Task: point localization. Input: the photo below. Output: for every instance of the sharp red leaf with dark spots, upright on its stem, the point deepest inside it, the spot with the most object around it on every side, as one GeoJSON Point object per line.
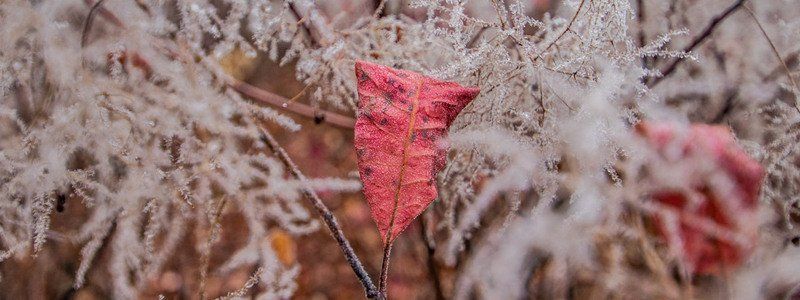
{"type": "Point", "coordinates": [401, 117]}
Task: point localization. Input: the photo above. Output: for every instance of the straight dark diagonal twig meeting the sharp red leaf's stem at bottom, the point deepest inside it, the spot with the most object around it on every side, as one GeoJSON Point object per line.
{"type": "Point", "coordinates": [327, 216]}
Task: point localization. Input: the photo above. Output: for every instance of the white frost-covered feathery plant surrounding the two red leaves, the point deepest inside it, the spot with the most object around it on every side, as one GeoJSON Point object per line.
{"type": "Point", "coordinates": [545, 188]}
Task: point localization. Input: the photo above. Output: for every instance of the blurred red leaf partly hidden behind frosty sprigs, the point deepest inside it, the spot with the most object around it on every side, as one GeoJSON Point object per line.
{"type": "Point", "coordinates": [704, 253]}
